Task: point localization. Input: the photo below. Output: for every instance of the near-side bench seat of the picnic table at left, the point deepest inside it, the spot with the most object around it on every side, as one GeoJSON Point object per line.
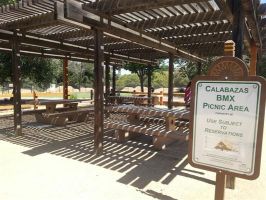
{"type": "Point", "coordinates": [61, 118]}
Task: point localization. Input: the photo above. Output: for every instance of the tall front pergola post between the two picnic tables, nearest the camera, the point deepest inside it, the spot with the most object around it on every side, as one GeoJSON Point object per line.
{"type": "Point", "coordinates": [98, 93]}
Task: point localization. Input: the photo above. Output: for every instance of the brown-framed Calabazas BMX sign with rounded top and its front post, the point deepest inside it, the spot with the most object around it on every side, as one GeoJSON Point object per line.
{"type": "Point", "coordinates": [227, 122]}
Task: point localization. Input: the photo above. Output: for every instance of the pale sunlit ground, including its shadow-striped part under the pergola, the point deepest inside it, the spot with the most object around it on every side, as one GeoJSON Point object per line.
{"type": "Point", "coordinates": [57, 163]}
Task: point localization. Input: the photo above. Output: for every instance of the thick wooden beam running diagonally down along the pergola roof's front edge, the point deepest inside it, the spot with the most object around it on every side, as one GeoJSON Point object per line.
{"type": "Point", "coordinates": [77, 15]}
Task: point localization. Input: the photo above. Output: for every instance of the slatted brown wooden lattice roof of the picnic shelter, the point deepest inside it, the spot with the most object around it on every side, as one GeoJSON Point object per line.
{"type": "Point", "coordinates": [134, 30]}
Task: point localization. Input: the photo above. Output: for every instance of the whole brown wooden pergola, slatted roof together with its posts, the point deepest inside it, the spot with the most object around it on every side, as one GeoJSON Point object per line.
{"type": "Point", "coordinates": [115, 31]}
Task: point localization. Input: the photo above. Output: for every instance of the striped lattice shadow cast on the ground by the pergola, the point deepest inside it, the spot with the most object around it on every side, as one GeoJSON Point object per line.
{"type": "Point", "coordinates": [136, 159]}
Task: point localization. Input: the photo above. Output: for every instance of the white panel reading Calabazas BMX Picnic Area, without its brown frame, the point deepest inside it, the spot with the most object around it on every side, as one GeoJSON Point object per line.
{"type": "Point", "coordinates": [225, 125]}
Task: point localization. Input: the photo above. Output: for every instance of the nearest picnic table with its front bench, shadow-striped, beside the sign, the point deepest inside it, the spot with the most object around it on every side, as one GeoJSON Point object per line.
{"type": "Point", "coordinates": [164, 125]}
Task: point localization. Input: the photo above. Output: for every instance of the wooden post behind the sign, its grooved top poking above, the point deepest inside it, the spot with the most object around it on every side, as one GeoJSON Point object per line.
{"type": "Point", "coordinates": [229, 50]}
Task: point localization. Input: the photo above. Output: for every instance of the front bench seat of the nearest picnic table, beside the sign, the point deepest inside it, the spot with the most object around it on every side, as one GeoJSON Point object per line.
{"type": "Point", "coordinates": [161, 137]}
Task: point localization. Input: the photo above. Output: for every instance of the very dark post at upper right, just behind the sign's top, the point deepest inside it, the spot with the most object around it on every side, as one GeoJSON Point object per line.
{"type": "Point", "coordinates": [238, 26]}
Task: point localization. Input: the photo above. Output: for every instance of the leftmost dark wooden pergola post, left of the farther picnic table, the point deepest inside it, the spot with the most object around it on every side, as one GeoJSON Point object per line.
{"type": "Point", "coordinates": [16, 78]}
